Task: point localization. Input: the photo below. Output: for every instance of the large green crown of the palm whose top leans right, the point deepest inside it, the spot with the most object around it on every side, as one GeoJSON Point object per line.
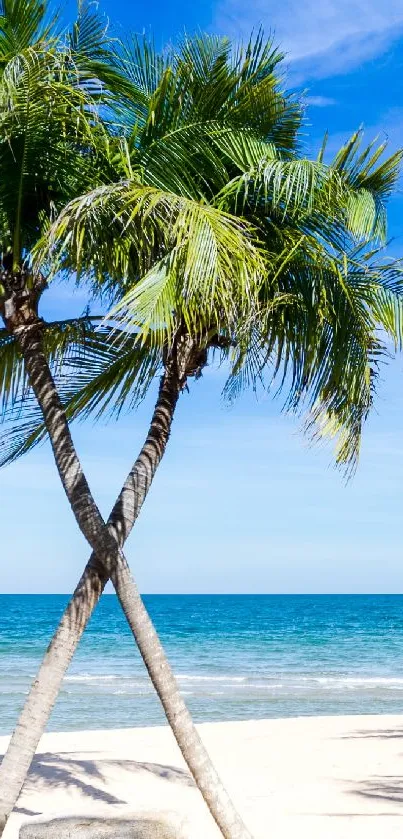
{"type": "Point", "coordinates": [205, 221]}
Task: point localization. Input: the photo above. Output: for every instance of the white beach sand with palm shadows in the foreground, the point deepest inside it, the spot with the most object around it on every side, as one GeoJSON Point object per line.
{"type": "Point", "coordinates": [317, 777]}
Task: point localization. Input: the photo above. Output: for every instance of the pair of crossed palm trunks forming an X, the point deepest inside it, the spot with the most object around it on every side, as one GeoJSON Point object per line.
{"type": "Point", "coordinates": [107, 562]}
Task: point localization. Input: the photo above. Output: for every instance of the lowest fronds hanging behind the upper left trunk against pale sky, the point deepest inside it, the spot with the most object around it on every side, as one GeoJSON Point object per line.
{"type": "Point", "coordinates": [95, 377]}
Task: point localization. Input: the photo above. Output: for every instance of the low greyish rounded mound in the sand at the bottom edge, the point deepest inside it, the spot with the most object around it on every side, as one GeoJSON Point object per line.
{"type": "Point", "coordinates": [93, 828]}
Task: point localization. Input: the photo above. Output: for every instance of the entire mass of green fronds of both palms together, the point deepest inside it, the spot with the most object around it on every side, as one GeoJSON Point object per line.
{"type": "Point", "coordinates": [174, 182]}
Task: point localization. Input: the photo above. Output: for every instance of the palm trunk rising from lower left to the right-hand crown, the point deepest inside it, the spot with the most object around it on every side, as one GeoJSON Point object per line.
{"type": "Point", "coordinates": [46, 687]}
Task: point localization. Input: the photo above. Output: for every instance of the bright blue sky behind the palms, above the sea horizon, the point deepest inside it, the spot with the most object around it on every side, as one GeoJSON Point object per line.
{"type": "Point", "coordinates": [242, 503]}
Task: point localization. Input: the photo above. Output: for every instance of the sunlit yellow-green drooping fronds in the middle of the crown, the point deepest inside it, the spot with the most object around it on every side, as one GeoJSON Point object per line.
{"type": "Point", "coordinates": [209, 262]}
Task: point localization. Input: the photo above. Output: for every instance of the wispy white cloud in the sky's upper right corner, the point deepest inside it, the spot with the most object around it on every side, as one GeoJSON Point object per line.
{"type": "Point", "coordinates": [320, 38]}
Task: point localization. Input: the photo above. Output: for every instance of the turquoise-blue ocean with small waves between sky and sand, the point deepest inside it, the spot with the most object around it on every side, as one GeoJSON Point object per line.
{"type": "Point", "coordinates": [235, 656]}
